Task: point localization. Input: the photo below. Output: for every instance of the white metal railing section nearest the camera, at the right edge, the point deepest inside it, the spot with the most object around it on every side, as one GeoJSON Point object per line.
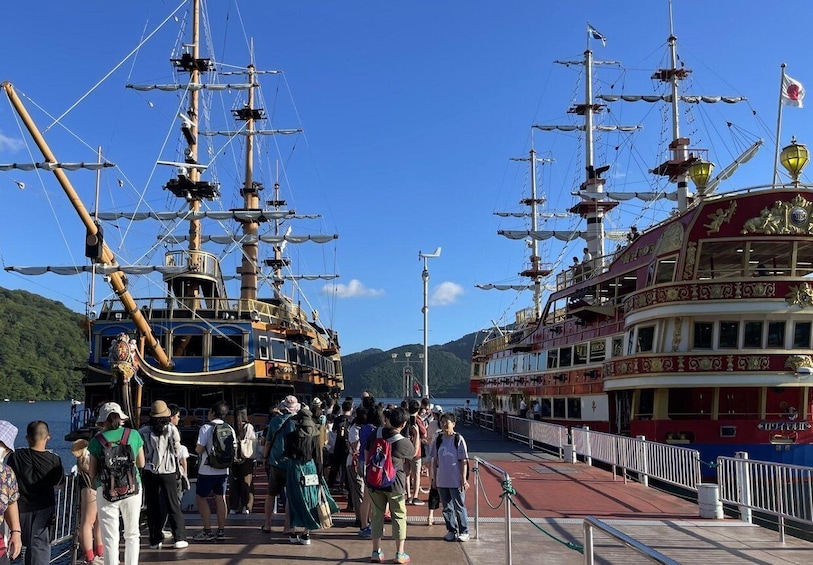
{"type": "Point", "coordinates": [777, 489]}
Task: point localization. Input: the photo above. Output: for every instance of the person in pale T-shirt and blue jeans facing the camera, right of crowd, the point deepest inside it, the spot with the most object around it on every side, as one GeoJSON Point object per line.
{"type": "Point", "coordinates": [450, 463]}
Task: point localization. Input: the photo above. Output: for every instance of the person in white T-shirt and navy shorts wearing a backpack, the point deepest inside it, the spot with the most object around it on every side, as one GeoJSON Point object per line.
{"type": "Point", "coordinates": [212, 480]}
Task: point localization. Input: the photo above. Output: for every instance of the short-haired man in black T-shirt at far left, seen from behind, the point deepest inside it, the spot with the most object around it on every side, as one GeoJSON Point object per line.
{"type": "Point", "coordinates": [38, 472]}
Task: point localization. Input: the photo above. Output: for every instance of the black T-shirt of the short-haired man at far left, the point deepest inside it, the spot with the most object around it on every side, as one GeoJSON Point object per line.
{"type": "Point", "coordinates": [38, 472]}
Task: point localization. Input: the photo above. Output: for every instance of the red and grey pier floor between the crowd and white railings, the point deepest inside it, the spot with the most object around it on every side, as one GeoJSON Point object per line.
{"type": "Point", "coordinates": [555, 495]}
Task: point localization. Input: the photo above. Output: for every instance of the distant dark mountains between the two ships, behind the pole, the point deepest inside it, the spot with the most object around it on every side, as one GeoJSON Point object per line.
{"type": "Point", "coordinates": [375, 371]}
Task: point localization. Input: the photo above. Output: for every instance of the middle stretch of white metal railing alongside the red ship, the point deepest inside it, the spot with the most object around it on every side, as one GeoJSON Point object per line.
{"type": "Point", "coordinates": [672, 464]}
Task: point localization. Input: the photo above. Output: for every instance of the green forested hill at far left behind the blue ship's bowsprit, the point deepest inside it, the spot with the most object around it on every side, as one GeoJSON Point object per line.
{"type": "Point", "coordinates": [41, 344]}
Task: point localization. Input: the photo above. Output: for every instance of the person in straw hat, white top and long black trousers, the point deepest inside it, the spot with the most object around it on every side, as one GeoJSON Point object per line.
{"type": "Point", "coordinates": [162, 443]}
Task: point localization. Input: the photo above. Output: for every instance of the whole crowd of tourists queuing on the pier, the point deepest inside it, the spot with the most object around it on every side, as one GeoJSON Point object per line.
{"type": "Point", "coordinates": [377, 455]}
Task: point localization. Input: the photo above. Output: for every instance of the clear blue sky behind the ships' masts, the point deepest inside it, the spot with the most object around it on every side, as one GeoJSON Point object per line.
{"type": "Point", "coordinates": [411, 112]}
